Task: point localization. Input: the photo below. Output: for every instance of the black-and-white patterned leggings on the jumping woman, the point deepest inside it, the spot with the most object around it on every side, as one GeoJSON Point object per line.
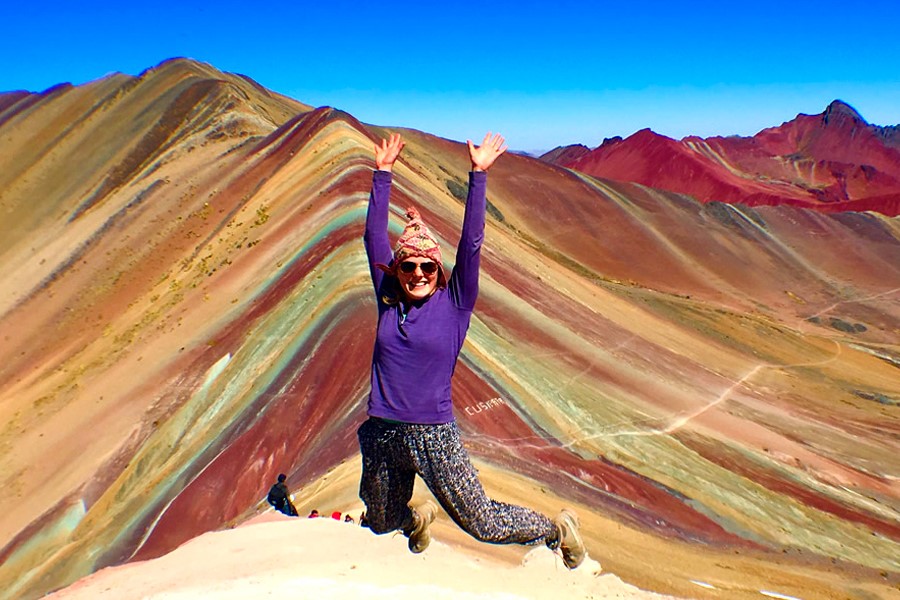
{"type": "Point", "coordinates": [393, 453]}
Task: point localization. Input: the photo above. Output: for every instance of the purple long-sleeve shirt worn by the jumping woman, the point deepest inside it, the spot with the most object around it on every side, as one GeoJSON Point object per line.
{"type": "Point", "coordinates": [415, 356]}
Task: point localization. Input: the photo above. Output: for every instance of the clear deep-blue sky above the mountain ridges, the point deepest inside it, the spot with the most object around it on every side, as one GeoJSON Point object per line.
{"type": "Point", "coordinates": [542, 73]}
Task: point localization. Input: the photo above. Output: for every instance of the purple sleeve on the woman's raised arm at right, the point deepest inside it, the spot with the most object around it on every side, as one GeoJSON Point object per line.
{"type": "Point", "coordinates": [463, 285]}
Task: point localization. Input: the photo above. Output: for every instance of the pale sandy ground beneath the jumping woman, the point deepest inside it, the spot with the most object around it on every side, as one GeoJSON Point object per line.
{"type": "Point", "coordinates": [276, 557]}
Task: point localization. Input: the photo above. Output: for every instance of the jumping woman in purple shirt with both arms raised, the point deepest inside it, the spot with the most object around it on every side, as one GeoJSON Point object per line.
{"type": "Point", "coordinates": [423, 317]}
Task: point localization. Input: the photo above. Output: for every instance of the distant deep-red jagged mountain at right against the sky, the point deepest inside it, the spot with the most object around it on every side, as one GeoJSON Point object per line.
{"type": "Point", "coordinates": [834, 161]}
